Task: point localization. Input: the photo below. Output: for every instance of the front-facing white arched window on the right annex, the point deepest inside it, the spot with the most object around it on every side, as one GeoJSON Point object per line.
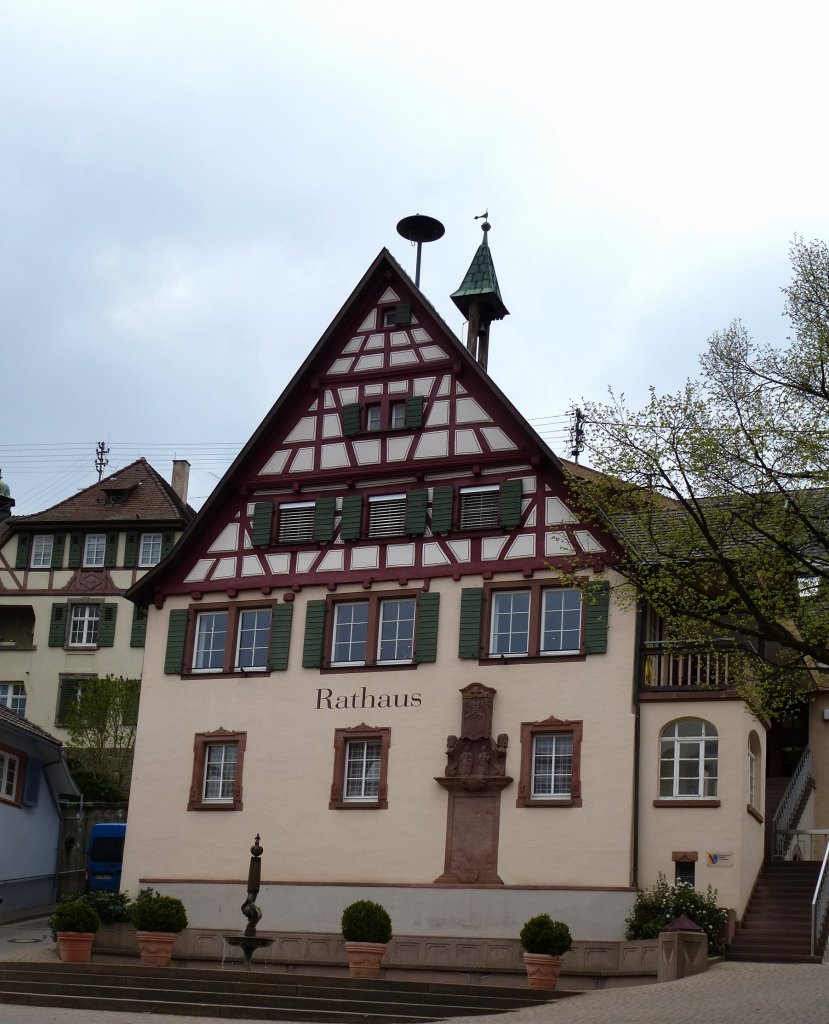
{"type": "Point", "coordinates": [688, 760]}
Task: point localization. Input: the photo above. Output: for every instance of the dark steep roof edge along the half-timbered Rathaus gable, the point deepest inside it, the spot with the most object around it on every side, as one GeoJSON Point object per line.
{"type": "Point", "coordinates": [245, 470]}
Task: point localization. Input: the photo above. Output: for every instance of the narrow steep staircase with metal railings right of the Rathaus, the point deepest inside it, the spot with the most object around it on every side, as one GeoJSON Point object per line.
{"type": "Point", "coordinates": [777, 923]}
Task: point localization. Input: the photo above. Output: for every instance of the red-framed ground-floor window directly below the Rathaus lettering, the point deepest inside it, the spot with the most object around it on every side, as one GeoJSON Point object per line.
{"type": "Point", "coordinates": [361, 769]}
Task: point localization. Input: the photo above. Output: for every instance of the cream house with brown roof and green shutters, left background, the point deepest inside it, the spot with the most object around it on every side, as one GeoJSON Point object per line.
{"type": "Point", "coordinates": [64, 574]}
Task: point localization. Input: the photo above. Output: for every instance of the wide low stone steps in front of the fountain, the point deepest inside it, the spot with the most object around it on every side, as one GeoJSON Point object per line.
{"type": "Point", "coordinates": [256, 996]}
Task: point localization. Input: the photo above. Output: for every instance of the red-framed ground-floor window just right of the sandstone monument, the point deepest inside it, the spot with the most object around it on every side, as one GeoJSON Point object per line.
{"type": "Point", "coordinates": [551, 756]}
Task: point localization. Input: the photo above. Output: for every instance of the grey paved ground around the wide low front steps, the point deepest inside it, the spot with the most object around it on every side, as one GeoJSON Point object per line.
{"type": "Point", "coordinates": [728, 994]}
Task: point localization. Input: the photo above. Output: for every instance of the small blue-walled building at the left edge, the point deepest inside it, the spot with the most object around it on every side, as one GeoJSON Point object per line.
{"type": "Point", "coordinates": [33, 777]}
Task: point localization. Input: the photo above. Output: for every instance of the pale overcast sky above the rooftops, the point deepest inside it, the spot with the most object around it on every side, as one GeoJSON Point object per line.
{"type": "Point", "coordinates": [190, 191]}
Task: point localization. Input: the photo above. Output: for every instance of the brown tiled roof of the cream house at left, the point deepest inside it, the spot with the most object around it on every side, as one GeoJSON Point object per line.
{"type": "Point", "coordinates": [136, 493]}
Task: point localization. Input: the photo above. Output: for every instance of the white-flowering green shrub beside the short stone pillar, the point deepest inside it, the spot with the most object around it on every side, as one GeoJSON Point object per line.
{"type": "Point", "coordinates": [657, 908]}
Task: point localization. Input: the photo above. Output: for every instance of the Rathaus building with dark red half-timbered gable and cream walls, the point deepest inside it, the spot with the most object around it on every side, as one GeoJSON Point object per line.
{"type": "Point", "coordinates": [396, 559]}
